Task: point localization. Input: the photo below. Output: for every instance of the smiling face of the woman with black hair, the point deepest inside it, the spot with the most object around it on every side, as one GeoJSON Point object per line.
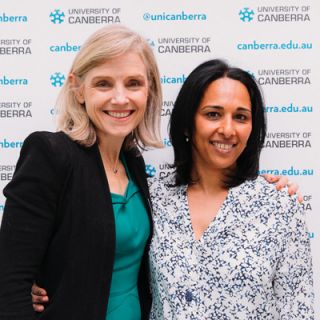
{"type": "Point", "coordinates": [222, 125]}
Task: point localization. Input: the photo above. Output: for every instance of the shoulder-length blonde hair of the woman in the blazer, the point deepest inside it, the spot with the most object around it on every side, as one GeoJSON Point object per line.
{"type": "Point", "coordinates": [107, 43]}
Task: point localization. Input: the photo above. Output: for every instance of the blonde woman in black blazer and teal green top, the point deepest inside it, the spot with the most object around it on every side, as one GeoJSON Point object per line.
{"type": "Point", "coordinates": [77, 216]}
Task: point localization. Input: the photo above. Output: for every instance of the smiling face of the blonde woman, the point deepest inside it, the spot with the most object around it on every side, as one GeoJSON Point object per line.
{"type": "Point", "coordinates": [115, 95]}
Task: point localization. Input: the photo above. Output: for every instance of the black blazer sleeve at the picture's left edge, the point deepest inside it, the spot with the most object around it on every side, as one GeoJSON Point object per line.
{"type": "Point", "coordinates": [27, 224]}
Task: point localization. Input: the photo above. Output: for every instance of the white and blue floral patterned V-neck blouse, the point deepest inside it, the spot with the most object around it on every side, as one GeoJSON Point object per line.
{"type": "Point", "coordinates": [252, 262]}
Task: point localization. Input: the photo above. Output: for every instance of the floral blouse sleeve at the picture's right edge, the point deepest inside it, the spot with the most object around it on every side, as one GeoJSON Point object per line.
{"type": "Point", "coordinates": [293, 282]}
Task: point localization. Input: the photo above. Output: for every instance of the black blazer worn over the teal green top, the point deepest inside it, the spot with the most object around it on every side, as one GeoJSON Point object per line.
{"type": "Point", "coordinates": [58, 229]}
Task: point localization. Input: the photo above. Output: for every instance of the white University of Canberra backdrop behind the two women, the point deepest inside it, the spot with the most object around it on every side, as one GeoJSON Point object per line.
{"type": "Point", "coordinates": [276, 41]}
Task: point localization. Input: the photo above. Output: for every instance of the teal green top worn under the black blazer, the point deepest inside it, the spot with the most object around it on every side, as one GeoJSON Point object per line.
{"type": "Point", "coordinates": [132, 231]}
